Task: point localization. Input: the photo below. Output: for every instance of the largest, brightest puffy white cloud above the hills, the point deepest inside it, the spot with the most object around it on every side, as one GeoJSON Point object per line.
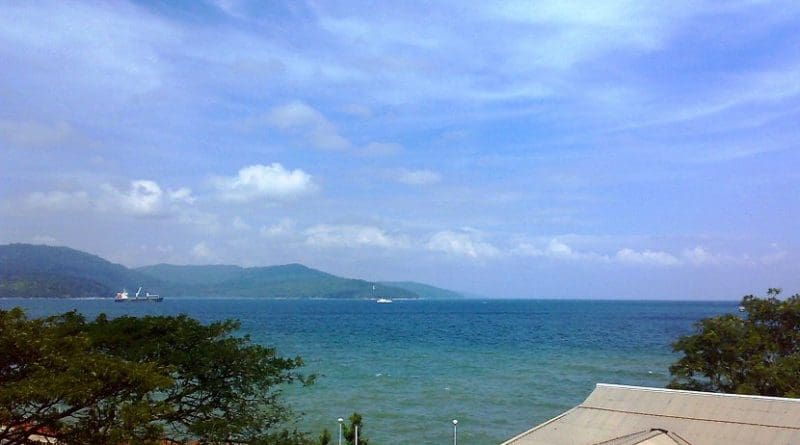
{"type": "Point", "coordinates": [264, 182]}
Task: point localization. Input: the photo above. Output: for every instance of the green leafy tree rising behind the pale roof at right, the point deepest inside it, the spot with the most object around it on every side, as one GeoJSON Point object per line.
{"type": "Point", "coordinates": [756, 353]}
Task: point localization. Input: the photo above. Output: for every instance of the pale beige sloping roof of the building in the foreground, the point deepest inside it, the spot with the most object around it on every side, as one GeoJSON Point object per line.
{"type": "Point", "coordinates": [632, 415]}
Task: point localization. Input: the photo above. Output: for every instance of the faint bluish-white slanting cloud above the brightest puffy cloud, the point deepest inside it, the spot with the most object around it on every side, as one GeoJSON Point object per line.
{"type": "Point", "coordinates": [298, 117]}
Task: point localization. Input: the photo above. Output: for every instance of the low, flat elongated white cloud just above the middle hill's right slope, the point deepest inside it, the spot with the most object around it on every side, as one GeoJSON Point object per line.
{"type": "Point", "coordinates": [353, 236]}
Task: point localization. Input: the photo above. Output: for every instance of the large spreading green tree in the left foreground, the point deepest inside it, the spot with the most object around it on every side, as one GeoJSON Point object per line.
{"type": "Point", "coordinates": [140, 380]}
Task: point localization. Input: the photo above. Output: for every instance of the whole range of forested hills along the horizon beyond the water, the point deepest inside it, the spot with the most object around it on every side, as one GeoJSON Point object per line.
{"type": "Point", "coordinates": [45, 271]}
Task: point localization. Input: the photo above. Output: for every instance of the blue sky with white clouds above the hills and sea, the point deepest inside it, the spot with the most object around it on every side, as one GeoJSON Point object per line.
{"type": "Point", "coordinates": [522, 149]}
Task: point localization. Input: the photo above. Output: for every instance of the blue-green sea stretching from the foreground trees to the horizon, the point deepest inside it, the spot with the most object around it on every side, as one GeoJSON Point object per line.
{"type": "Point", "coordinates": [499, 367]}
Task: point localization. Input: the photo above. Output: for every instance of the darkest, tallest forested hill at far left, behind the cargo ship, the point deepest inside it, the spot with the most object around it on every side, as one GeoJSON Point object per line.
{"type": "Point", "coordinates": [44, 271]}
